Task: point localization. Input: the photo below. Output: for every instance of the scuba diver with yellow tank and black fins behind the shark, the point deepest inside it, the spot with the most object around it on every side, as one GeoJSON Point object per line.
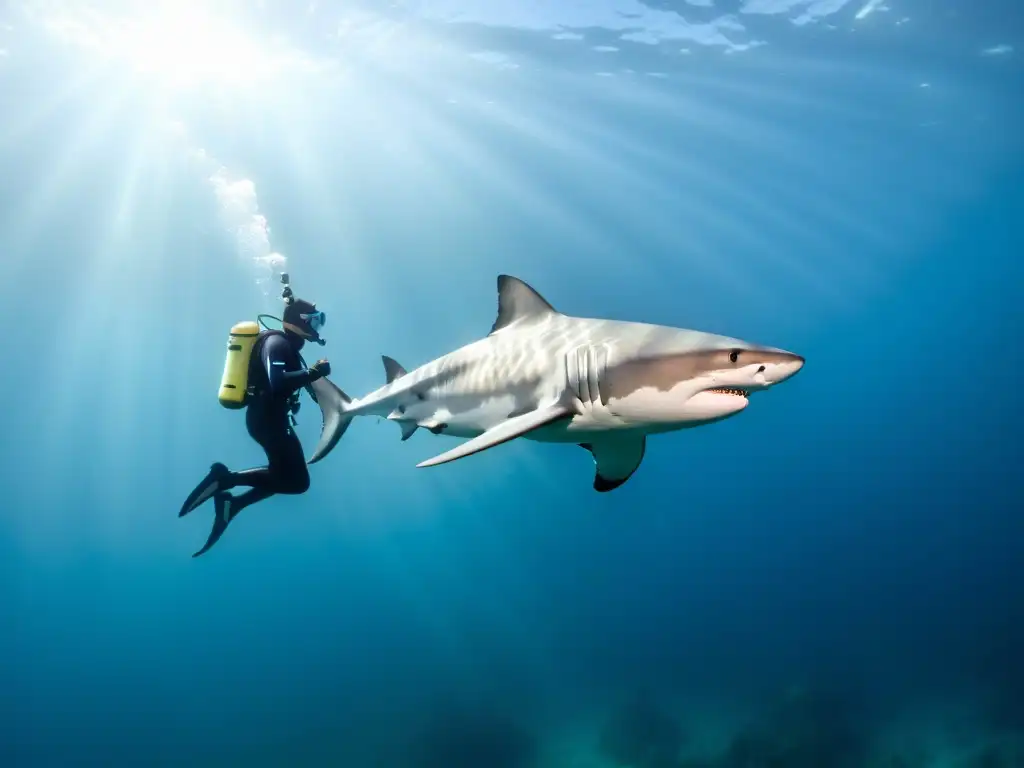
{"type": "Point", "coordinates": [265, 374]}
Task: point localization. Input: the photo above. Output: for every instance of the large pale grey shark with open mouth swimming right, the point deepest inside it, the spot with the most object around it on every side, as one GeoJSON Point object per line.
{"type": "Point", "coordinates": [606, 386]}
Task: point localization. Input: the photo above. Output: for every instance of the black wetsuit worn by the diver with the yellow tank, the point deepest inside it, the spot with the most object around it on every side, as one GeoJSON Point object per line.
{"type": "Point", "coordinates": [278, 374]}
